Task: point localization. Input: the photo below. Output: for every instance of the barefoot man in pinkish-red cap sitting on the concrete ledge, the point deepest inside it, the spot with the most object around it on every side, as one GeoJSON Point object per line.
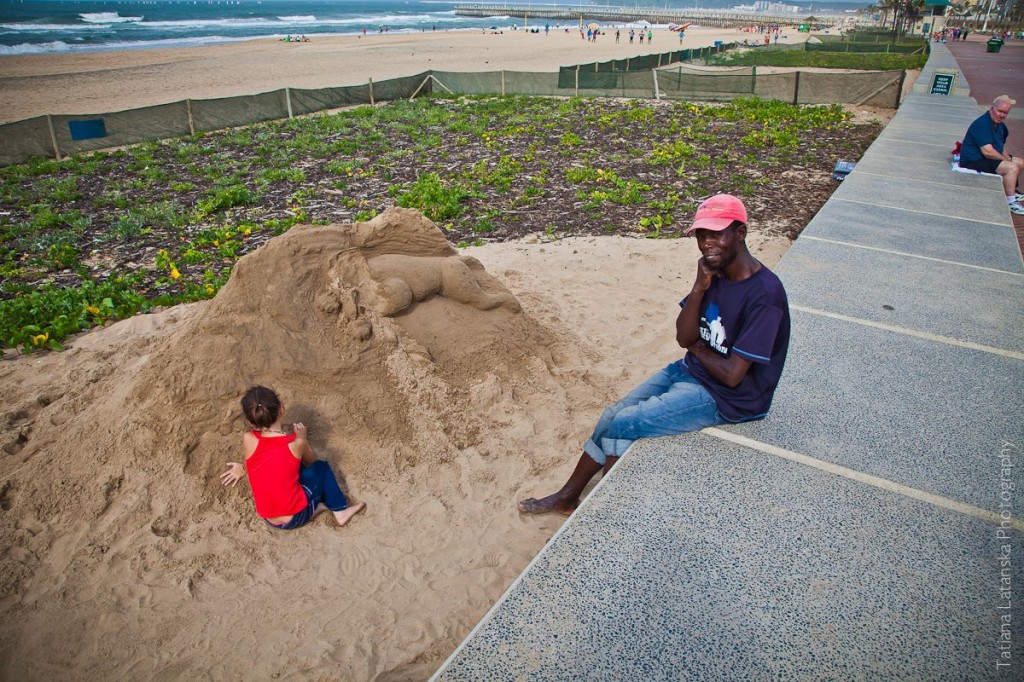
{"type": "Point", "coordinates": [735, 325]}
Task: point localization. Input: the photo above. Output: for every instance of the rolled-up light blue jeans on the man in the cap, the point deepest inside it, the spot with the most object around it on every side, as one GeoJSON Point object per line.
{"type": "Point", "coordinates": [670, 403]}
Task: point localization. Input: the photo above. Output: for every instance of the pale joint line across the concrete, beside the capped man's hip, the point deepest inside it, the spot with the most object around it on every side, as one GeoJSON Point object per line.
{"type": "Point", "coordinates": [869, 480]}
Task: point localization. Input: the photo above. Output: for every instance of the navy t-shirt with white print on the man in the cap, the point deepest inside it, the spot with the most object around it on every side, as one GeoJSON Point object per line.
{"type": "Point", "coordinates": [750, 318]}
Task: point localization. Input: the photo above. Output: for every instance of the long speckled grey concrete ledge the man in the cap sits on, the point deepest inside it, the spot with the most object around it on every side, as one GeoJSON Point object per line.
{"type": "Point", "coordinates": [871, 528]}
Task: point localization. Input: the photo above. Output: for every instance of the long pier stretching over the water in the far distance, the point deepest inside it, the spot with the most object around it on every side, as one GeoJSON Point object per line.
{"type": "Point", "coordinates": [614, 15]}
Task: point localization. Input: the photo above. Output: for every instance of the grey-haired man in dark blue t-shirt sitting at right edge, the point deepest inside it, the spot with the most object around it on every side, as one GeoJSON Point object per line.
{"type": "Point", "coordinates": [985, 146]}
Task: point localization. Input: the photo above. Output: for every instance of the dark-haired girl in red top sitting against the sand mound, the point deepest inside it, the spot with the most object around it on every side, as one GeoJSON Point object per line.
{"type": "Point", "coordinates": [290, 487]}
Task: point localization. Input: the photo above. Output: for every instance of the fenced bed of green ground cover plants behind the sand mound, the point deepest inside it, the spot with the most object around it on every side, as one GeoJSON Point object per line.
{"type": "Point", "coordinates": [102, 237]}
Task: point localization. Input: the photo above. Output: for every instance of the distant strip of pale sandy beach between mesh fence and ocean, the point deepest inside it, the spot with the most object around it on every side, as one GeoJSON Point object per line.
{"type": "Point", "coordinates": [113, 81]}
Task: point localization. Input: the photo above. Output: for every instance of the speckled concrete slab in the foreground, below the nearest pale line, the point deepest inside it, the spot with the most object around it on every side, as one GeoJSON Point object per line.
{"type": "Point", "coordinates": [703, 561]}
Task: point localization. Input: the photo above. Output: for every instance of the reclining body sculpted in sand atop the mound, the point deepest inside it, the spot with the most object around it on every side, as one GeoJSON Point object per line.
{"type": "Point", "coordinates": [405, 280]}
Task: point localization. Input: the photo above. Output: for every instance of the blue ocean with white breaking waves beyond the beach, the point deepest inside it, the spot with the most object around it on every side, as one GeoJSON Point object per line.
{"type": "Point", "coordinates": [65, 26]}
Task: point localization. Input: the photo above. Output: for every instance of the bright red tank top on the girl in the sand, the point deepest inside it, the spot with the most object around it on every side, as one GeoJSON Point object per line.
{"type": "Point", "coordinates": [274, 477]}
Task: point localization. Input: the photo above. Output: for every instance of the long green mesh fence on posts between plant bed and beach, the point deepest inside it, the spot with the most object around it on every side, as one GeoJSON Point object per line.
{"type": "Point", "coordinates": [635, 77]}
